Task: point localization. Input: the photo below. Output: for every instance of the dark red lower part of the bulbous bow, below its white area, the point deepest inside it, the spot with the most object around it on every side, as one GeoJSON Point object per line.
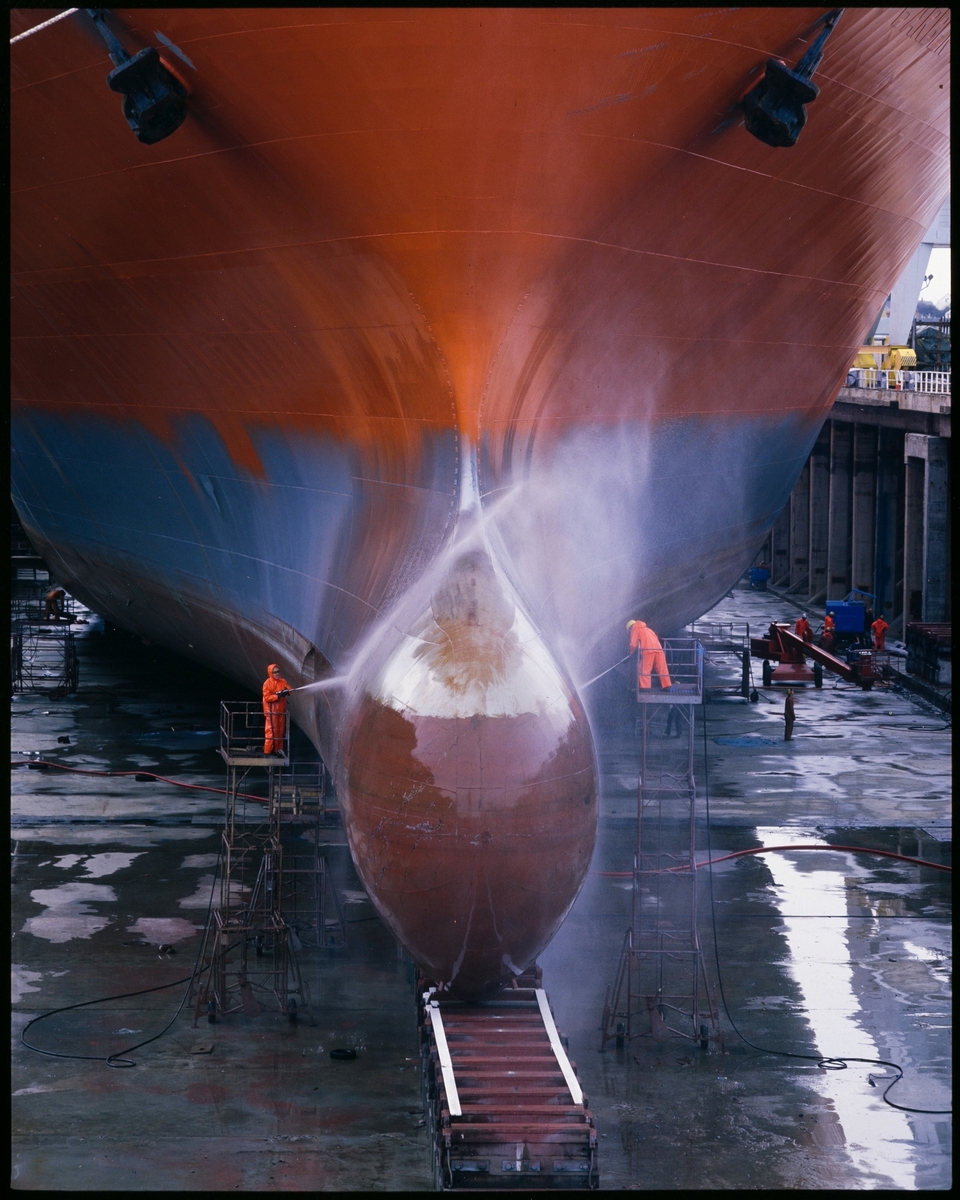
{"type": "Point", "coordinates": [497, 844]}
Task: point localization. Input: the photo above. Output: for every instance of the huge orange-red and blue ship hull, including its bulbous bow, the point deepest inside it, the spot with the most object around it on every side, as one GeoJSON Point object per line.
{"type": "Point", "coordinates": [397, 256]}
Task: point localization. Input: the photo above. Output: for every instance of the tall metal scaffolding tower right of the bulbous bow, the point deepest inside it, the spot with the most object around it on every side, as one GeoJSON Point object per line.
{"type": "Point", "coordinates": [661, 988]}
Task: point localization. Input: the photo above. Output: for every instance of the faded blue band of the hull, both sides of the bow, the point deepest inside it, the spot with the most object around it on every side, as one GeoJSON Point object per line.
{"type": "Point", "coordinates": [179, 545]}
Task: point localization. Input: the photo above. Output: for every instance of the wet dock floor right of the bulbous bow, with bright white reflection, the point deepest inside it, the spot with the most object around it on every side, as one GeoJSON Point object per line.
{"type": "Point", "coordinates": [805, 945]}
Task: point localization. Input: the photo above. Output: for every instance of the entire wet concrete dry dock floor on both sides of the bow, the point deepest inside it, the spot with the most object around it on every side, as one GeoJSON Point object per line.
{"type": "Point", "coordinates": [820, 953]}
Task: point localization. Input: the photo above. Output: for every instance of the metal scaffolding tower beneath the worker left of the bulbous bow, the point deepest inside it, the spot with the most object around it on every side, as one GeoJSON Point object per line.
{"type": "Point", "coordinates": [272, 896]}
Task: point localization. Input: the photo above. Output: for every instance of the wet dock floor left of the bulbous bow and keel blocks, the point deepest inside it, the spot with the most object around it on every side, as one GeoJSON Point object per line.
{"type": "Point", "coordinates": [106, 871]}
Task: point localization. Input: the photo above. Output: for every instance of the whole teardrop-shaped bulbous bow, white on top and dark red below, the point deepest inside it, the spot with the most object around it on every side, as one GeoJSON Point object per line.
{"type": "Point", "coordinates": [469, 784]}
